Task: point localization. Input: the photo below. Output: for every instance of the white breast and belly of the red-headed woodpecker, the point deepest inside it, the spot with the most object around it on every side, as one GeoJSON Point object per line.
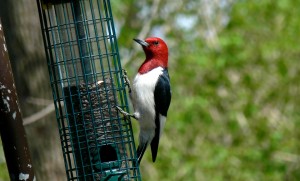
{"type": "Point", "coordinates": [143, 97]}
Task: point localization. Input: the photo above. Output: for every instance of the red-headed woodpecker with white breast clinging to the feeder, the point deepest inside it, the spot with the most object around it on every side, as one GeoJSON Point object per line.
{"type": "Point", "coordinates": [151, 94]}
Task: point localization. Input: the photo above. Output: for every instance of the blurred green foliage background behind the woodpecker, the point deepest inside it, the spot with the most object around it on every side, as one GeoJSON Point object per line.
{"type": "Point", "coordinates": [235, 108]}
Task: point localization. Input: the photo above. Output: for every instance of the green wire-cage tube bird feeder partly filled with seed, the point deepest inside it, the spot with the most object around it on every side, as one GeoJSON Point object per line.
{"type": "Point", "coordinates": [87, 84]}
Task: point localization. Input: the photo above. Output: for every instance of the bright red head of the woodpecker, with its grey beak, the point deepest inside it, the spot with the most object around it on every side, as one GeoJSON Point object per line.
{"type": "Point", "coordinates": [156, 51]}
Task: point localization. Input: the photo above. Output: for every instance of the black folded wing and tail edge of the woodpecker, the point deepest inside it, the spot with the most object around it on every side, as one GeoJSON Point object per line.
{"type": "Point", "coordinates": [162, 99]}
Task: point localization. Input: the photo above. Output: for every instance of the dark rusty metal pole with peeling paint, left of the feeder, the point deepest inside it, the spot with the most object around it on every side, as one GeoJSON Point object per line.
{"type": "Point", "coordinates": [11, 125]}
